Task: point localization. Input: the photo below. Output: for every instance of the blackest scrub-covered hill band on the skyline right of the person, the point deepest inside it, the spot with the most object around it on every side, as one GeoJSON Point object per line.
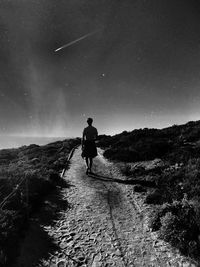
{"type": "Point", "coordinates": [177, 143]}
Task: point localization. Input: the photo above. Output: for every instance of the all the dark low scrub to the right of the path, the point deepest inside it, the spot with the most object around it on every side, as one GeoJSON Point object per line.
{"type": "Point", "coordinates": [176, 196]}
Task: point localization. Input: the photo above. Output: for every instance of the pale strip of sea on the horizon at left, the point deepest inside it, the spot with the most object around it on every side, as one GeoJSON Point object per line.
{"type": "Point", "coordinates": [18, 141]}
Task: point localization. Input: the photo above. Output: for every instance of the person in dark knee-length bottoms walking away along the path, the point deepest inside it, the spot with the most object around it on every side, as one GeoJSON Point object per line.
{"type": "Point", "coordinates": [89, 150]}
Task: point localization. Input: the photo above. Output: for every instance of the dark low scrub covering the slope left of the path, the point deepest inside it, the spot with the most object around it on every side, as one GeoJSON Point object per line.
{"type": "Point", "coordinates": [31, 172]}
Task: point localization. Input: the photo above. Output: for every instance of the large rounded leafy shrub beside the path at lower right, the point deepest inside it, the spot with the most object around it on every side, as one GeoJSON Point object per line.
{"type": "Point", "coordinates": [179, 224]}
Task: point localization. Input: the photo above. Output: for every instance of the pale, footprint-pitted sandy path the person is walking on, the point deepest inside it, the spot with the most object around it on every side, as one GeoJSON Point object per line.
{"type": "Point", "coordinates": [106, 224]}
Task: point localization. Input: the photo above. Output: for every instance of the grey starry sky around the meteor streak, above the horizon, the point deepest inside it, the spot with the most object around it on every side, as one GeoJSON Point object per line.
{"type": "Point", "coordinates": [141, 69]}
